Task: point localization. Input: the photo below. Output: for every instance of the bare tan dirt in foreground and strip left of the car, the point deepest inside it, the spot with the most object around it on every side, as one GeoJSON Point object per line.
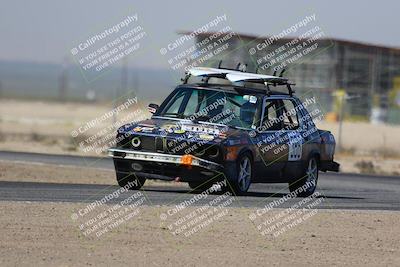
{"type": "Point", "coordinates": [45, 234]}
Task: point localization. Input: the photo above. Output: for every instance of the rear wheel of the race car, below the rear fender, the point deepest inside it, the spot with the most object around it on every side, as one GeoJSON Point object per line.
{"type": "Point", "coordinates": [305, 185]}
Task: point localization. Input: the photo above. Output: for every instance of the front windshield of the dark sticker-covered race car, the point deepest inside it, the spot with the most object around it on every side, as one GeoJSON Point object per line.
{"type": "Point", "coordinates": [232, 109]}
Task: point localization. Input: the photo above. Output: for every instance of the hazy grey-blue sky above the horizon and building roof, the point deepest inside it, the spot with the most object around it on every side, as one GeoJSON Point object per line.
{"type": "Point", "coordinates": [46, 30]}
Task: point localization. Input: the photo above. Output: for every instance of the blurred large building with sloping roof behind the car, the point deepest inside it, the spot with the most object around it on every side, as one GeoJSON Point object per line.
{"type": "Point", "coordinates": [363, 70]}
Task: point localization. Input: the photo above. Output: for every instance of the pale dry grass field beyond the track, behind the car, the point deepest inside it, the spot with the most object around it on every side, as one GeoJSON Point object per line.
{"type": "Point", "coordinates": [46, 127]}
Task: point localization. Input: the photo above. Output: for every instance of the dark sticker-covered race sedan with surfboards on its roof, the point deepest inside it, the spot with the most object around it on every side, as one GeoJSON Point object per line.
{"type": "Point", "coordinates": [205, 133]}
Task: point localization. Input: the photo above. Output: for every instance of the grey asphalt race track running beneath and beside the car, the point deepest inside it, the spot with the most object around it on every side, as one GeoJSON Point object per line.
{"type": "Point", "coordinates": [339, 191]}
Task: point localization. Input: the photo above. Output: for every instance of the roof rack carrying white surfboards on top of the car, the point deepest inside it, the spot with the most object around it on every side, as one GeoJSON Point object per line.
{"type": "Point", "coordinates": [239, 74]}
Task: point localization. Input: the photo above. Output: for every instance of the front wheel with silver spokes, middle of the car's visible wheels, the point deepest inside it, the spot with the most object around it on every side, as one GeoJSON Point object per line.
{"type": "Point", "coordinates": [239, 181]}
